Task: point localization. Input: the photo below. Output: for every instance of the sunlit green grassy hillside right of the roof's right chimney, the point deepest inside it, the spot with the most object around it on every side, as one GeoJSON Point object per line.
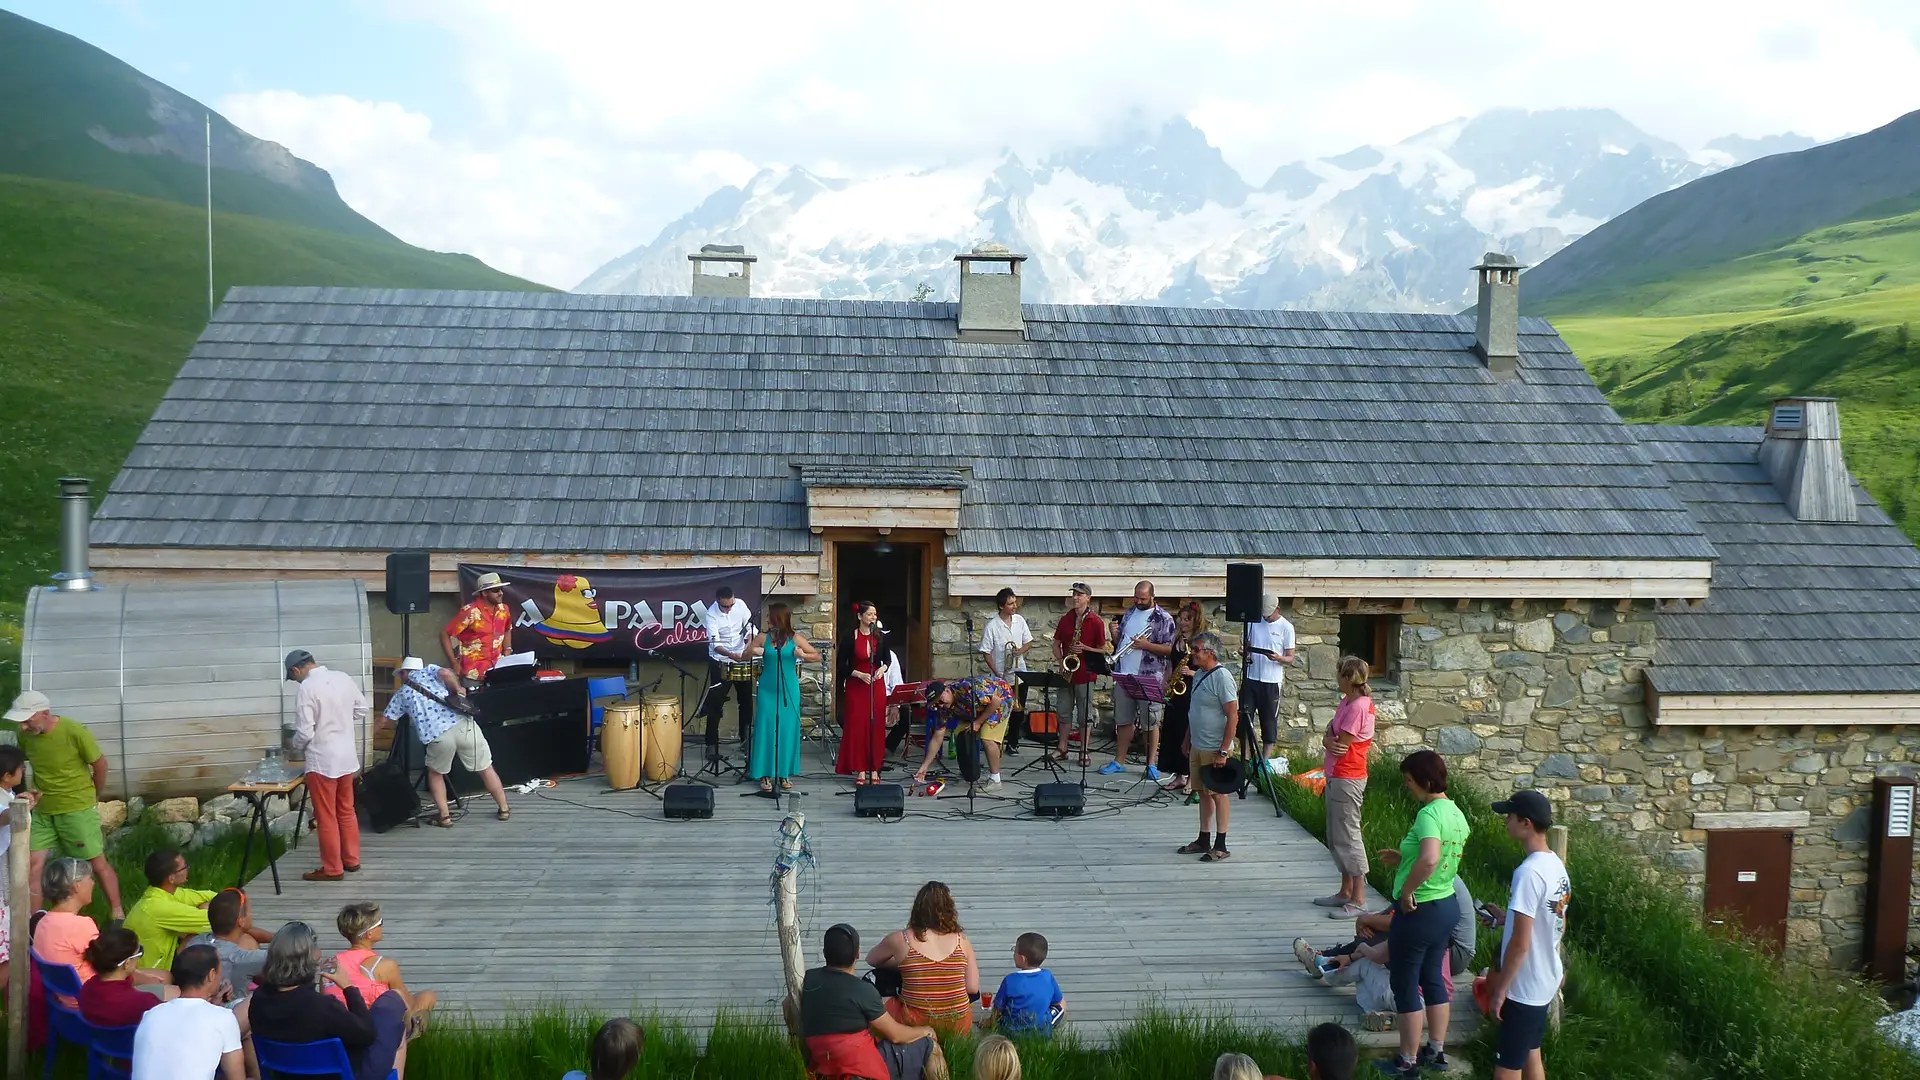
{"type": "Point", "coordinates": [1831, 312]}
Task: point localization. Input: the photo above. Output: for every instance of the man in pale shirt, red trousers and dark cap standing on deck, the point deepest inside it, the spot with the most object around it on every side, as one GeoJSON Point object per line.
{"type": "Point", "coordinates": [327, 716]}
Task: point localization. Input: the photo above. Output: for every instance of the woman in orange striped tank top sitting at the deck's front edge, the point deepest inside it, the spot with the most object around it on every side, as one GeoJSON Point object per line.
{"type": "Point", "coordinates": [940, 979]}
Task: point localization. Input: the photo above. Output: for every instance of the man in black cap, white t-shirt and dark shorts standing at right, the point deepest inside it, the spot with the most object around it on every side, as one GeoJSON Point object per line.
{"type": "Point", "coordinates": [1529, 975]}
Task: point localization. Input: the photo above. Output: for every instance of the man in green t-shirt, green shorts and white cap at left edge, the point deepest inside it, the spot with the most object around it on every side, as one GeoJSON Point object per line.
{"type": "Point", "coordinates": [68, 772]}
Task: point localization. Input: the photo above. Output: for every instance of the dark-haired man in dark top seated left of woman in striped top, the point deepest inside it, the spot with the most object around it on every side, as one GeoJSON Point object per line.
{"type": "Point", "coordinates": [848, 1031]}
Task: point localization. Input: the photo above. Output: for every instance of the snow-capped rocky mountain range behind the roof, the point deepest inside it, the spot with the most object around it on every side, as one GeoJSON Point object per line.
{"type": "Point", "coordinates": [1161, 216]}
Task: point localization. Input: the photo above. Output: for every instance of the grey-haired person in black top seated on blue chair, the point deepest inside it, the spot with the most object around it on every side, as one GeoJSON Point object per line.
{"type": "Point", "coordinates": [287, 1006]}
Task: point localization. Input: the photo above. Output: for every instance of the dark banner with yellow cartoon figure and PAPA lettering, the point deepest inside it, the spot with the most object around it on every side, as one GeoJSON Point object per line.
{"type": "Point", "coordinates": [606, 614]}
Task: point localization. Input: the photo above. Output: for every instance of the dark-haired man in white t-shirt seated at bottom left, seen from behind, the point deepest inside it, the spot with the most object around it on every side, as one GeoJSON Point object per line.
{"type": "Point", "coordinates": [193, 1037]}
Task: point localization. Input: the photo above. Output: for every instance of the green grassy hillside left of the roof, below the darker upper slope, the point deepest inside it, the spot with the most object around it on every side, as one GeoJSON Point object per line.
{"type": "Point", "coordinates": [101, 299]}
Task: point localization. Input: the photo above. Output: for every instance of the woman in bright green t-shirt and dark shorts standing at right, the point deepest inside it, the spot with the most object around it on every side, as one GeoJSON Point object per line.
{"type": "Point", "coordinates": [1426, 914]}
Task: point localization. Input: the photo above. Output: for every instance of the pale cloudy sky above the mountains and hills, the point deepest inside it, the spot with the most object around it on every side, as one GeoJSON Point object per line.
{"type": "Point", "coordinates": [552, 137]}
